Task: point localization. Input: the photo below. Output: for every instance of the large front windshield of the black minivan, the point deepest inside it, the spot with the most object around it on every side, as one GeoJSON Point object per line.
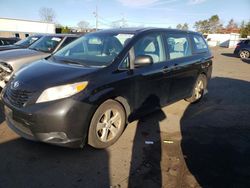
{"type": "Point", "coordinates": [95, 49]}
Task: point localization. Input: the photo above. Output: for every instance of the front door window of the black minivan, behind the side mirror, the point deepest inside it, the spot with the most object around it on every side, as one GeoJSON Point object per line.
{"type": "Point", "coordinates": [151, 45]}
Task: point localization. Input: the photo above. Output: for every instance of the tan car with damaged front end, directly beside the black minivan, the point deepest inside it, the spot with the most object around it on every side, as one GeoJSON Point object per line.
{"type": "Point", "coordinates": [13, 60]}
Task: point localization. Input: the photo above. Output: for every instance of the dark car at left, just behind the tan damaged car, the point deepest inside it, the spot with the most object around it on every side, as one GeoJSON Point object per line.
{"type": "Point", "coordinates": [25, 43]}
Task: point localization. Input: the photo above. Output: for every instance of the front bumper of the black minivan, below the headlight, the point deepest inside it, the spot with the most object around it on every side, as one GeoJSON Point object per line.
{"type": "Point", "coordinates": [64, 122]}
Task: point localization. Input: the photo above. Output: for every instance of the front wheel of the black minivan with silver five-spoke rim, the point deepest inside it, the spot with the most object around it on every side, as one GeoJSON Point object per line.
{"type": "Point", "coordinates": [107, 124]}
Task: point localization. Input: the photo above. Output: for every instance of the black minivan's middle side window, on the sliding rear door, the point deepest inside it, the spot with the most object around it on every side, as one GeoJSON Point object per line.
{"type": "Point", "coordinates": [178, 46]}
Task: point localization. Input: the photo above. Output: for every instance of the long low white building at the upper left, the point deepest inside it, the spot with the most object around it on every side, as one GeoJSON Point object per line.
{"type": "Point", "coordinates": [23, 28]}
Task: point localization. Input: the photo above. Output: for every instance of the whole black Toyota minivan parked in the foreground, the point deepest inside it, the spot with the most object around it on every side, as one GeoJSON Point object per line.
{"type": "Point", "coordinates": [89, 90]}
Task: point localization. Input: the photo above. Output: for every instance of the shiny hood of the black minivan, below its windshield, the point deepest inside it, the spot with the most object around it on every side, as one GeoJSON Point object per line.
{"type": "Point", "coordinates": [45, 73]}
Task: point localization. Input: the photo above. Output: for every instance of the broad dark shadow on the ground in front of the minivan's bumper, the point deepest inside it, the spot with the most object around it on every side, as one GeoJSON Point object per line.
{"type": "Point", "coordinates": [32, 164]}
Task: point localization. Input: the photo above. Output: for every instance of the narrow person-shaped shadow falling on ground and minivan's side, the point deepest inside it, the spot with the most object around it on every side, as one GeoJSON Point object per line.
{"type": "Point", "coordinates": [146, 172]}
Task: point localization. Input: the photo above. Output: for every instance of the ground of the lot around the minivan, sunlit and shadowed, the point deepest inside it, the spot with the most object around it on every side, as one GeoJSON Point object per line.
{"type": "Point", "coordinates": [201, 145]}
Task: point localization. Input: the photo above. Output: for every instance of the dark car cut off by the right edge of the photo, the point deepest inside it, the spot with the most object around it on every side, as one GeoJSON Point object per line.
{"type": "Point", "coordinates": [242, 49]}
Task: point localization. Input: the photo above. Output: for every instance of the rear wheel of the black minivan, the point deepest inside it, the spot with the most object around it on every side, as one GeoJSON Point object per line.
{"type": "Point", "coordinates": [199, 89]}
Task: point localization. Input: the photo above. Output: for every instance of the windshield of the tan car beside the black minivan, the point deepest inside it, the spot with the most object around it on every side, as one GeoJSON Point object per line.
{"type": "Point", "coordinates": [46, 44]}
